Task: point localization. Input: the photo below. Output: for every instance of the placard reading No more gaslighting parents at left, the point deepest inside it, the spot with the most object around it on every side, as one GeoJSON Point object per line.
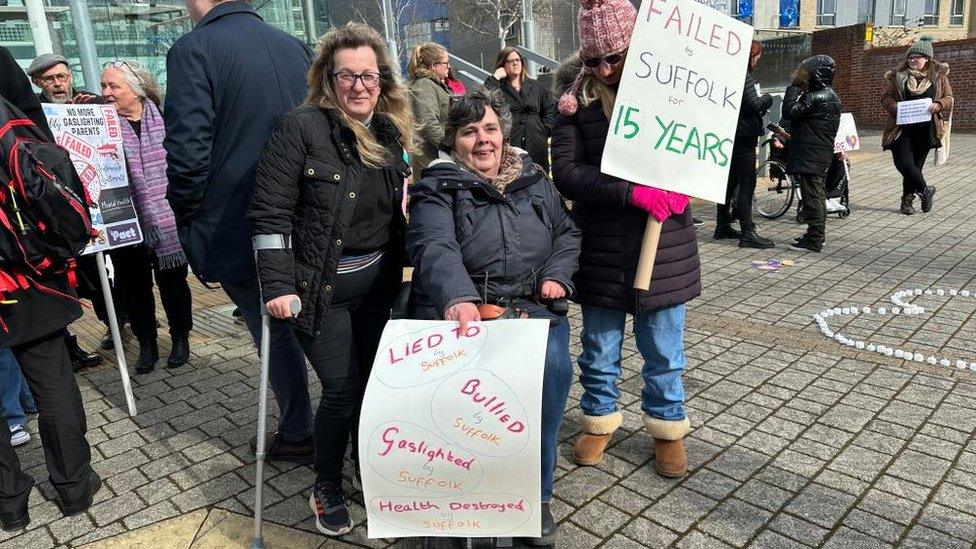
{"type": "Point", "coordinates": [92, 134]}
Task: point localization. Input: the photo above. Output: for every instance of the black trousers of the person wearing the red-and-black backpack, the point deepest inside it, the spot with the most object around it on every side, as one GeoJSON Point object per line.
{"type": "Point", "coordinates": [61, 423]}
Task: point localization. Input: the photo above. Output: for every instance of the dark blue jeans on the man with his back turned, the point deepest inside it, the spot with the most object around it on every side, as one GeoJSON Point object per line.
{"type": "Point", "coordinates": [287, 373]}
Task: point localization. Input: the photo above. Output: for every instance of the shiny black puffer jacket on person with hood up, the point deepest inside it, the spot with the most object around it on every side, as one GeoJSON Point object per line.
{"type": "Point", "coordinates": [814, 118]}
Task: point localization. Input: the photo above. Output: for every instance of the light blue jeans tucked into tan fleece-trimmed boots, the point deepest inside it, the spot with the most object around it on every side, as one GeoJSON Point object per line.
{"type": "Point", "coordinates": [659, 339]}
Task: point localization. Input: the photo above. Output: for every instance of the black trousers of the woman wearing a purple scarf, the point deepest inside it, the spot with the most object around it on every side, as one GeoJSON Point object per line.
{"type": "Point", "coordinates": [135, 267]}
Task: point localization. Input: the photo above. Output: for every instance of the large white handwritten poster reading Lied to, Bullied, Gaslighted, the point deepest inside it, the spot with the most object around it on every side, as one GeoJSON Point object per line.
{"type": "Point", "coordinates": [449, 435]}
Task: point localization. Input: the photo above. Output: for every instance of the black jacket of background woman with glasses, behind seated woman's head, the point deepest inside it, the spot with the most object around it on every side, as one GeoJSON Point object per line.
{"type": "Point", "coordinates": [533, 111]}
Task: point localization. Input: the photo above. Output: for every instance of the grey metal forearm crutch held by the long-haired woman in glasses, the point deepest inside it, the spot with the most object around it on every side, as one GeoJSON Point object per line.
{"type": "Point", "coordinates": [264, 242]}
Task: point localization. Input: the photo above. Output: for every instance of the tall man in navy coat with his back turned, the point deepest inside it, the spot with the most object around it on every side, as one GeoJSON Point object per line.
{"type": "Point", "coordinates": [220, 107]}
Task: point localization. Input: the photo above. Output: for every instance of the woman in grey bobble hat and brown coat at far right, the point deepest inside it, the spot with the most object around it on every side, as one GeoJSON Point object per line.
{"type": "Point", "coordinates": [920, 76]}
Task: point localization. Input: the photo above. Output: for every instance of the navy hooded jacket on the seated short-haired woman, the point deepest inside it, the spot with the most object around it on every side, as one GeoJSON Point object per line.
{"type": "Point", "coordinates": [462, 229]}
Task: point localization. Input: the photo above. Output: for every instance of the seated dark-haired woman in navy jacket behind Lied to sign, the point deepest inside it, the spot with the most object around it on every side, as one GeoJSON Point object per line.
{"type": "Point", "coordinates": [487, 226]}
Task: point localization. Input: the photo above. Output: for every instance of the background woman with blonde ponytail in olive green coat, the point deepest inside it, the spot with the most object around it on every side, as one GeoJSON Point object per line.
{"type": "Point", "coordinates": [428, 67]}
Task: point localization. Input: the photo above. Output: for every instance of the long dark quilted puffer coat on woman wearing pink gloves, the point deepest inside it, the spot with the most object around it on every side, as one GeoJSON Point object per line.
{"type": "Point", "coordinates": [612, 229]}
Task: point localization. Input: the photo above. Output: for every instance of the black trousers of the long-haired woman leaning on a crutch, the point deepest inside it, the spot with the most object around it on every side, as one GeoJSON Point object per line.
{"type": "Point", "coordinates": [342, 357]}
